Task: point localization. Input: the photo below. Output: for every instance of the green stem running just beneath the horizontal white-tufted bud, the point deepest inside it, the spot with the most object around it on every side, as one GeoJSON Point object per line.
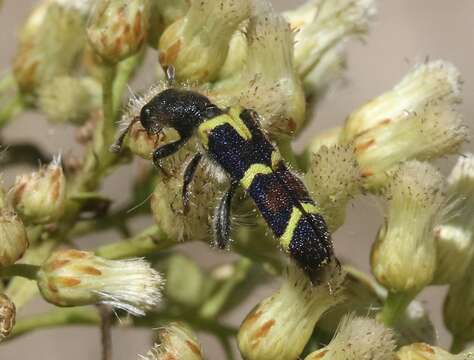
{"type": "Point", "coordinates": [56, 317]}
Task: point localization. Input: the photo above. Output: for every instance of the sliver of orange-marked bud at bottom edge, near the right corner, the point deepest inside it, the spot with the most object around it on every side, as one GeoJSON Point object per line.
{"type": "Point", "coordinates": [423, 351]}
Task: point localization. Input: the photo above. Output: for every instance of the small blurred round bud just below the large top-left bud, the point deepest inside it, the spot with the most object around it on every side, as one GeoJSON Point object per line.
{"type": "Point", "coordinates": [69, 99]}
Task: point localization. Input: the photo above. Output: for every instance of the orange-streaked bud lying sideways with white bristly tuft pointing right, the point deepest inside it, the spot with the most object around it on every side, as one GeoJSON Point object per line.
{"type": "Point", "coordinates": [74, 278]}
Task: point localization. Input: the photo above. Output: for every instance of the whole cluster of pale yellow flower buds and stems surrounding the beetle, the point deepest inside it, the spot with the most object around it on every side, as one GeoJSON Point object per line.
{"type": "Point", "coordinates": [74, 61]}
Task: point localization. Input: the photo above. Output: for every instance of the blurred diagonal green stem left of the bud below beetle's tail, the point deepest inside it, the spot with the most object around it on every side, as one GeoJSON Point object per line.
{"type": "Point", "coordinates": [215, 304]}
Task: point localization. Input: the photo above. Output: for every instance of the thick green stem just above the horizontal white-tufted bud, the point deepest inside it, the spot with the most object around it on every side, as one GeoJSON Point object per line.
{"type": "Point", "coordinates": [150, 240]}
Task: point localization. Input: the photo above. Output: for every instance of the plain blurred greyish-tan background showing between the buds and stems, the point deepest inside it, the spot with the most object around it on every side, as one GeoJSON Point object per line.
{"type": "Point", "coordinates": [405, 32]}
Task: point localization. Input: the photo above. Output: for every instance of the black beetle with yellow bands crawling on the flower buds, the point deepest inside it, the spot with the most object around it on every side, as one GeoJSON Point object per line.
{"type": "Point", "coordinates": [233, 140]}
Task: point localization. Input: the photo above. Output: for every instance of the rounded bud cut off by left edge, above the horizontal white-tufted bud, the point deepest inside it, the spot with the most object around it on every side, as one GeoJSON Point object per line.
{"type": "Point", "coordinates": [13, 238]}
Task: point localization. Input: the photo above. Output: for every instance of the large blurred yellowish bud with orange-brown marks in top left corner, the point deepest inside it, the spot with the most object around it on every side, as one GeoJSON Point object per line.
{"type": "Point", "coordinates": [50, 44]}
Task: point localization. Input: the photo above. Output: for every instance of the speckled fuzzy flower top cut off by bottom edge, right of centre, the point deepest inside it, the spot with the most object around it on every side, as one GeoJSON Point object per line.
{"type": "Point", "coordinates": [358, 338]}
